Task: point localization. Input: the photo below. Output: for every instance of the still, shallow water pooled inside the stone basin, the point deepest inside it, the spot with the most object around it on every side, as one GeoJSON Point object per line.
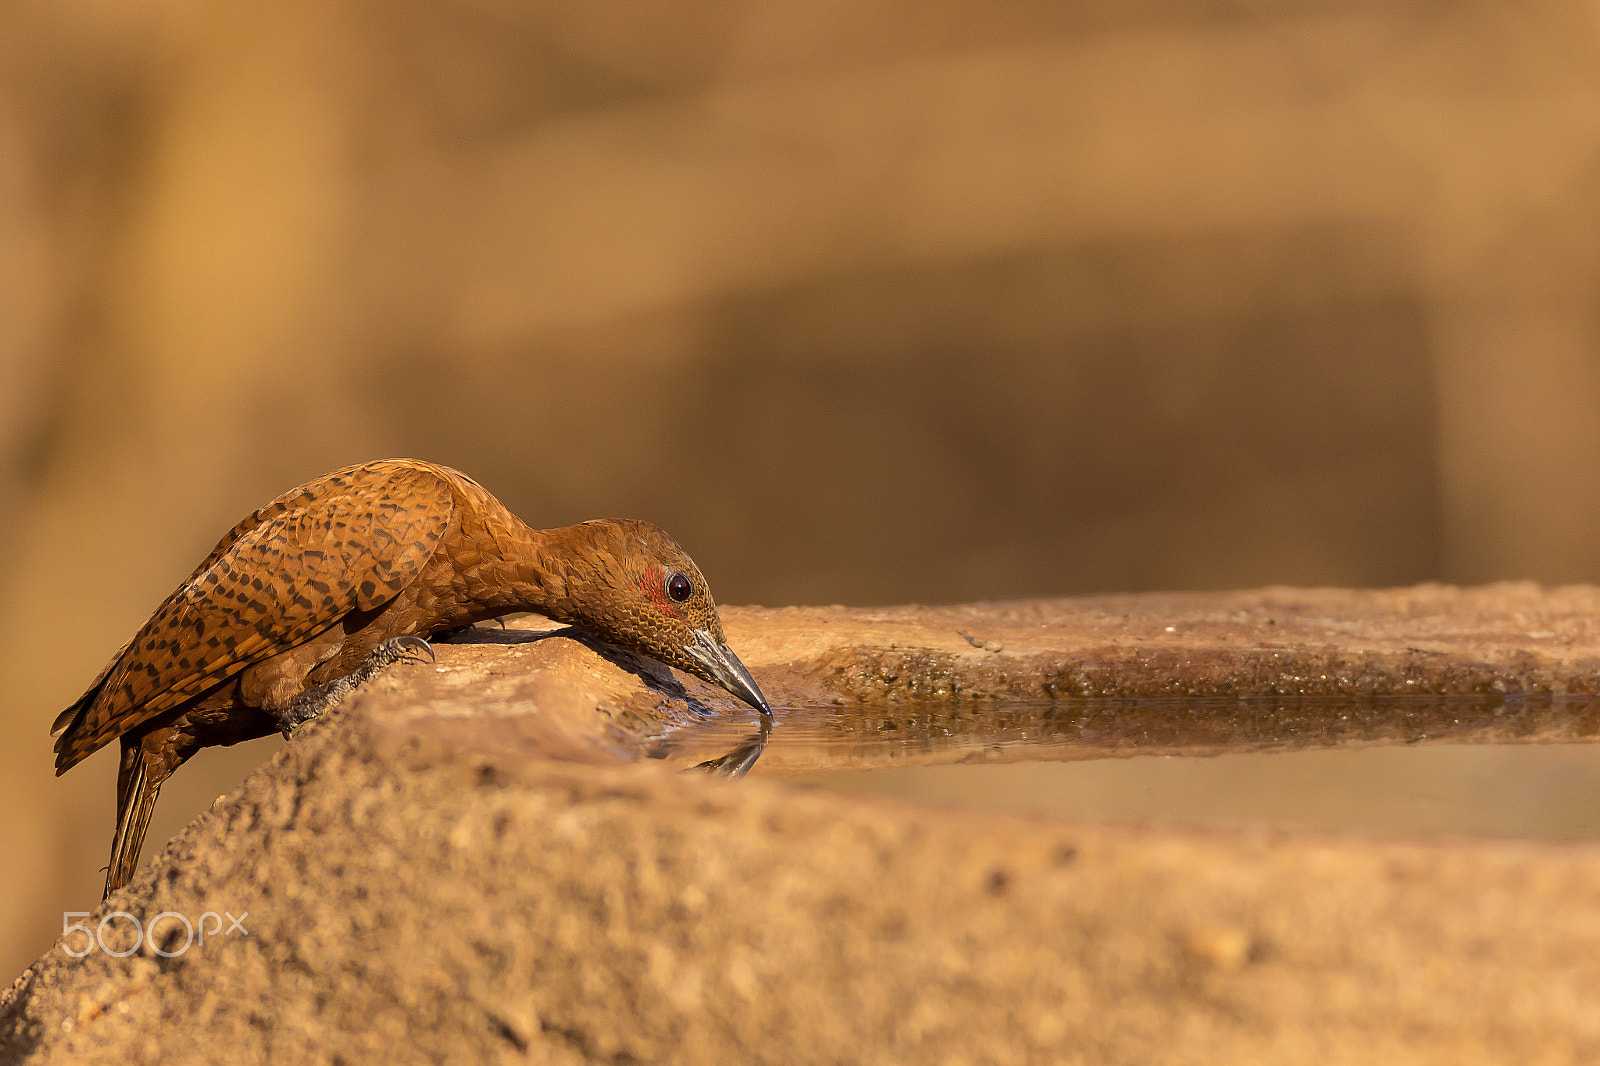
{"type": "Point", "coordinates": [1410, 766]}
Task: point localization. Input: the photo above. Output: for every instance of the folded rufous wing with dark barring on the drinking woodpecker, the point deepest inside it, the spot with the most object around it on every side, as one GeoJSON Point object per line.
{"type": "Point", "coordinates": [348, 542]}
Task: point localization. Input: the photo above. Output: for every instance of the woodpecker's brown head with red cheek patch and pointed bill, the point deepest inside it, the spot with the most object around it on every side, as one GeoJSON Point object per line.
{"type": "Point", "coordinates": [631, 585]}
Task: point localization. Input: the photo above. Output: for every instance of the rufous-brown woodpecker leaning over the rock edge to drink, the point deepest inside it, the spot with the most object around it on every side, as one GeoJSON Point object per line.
{"type": "Point", "coordinates": [345, 575]}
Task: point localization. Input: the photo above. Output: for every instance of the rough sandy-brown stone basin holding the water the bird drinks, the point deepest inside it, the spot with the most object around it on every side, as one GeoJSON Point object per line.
{"type": "Point", "coordinates": [470, 864]}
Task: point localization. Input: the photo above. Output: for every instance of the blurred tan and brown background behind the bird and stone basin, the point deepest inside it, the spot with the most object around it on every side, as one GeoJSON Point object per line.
{"type": "Point", "coordinates": [865, 302]}
